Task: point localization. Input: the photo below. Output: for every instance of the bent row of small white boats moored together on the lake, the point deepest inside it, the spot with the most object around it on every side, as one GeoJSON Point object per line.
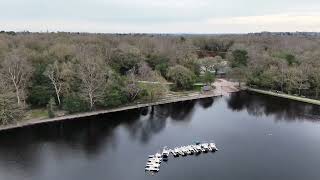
{"type": "Point", "coordinates": [154, 161]}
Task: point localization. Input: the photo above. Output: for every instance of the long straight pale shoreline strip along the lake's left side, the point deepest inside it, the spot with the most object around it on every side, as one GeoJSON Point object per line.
{"type": "Point", "coordinates": [32, 122]}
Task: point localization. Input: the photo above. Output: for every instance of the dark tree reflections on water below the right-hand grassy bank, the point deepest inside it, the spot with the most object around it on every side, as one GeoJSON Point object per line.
{"type": "Point", "coordinates": [283, 109]}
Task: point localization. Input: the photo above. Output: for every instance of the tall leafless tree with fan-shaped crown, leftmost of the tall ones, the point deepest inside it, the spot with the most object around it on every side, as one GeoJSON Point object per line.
{"type": "Point", "coordinates": [17, 70]}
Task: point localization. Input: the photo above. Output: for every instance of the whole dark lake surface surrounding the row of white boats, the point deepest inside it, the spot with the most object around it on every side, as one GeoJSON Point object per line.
{"type": "Point", "coordinates": [259, 137]}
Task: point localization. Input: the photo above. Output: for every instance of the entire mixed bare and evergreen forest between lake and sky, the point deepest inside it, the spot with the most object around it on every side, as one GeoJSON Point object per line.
{"type": "Point", "coordinates": [79, 72]}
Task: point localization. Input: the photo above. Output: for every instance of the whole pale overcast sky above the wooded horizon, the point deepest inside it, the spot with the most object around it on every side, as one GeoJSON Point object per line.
{"type": "Point", "coordinates": [160, 16]}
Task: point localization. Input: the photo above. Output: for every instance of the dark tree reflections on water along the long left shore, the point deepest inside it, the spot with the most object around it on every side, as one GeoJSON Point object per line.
{"type": "Point", "coordinates": [22, 146]}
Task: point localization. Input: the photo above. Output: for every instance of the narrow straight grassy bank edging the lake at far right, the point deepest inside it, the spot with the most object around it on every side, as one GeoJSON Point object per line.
{"type": "Point", "coordinates": [287, 96]}
